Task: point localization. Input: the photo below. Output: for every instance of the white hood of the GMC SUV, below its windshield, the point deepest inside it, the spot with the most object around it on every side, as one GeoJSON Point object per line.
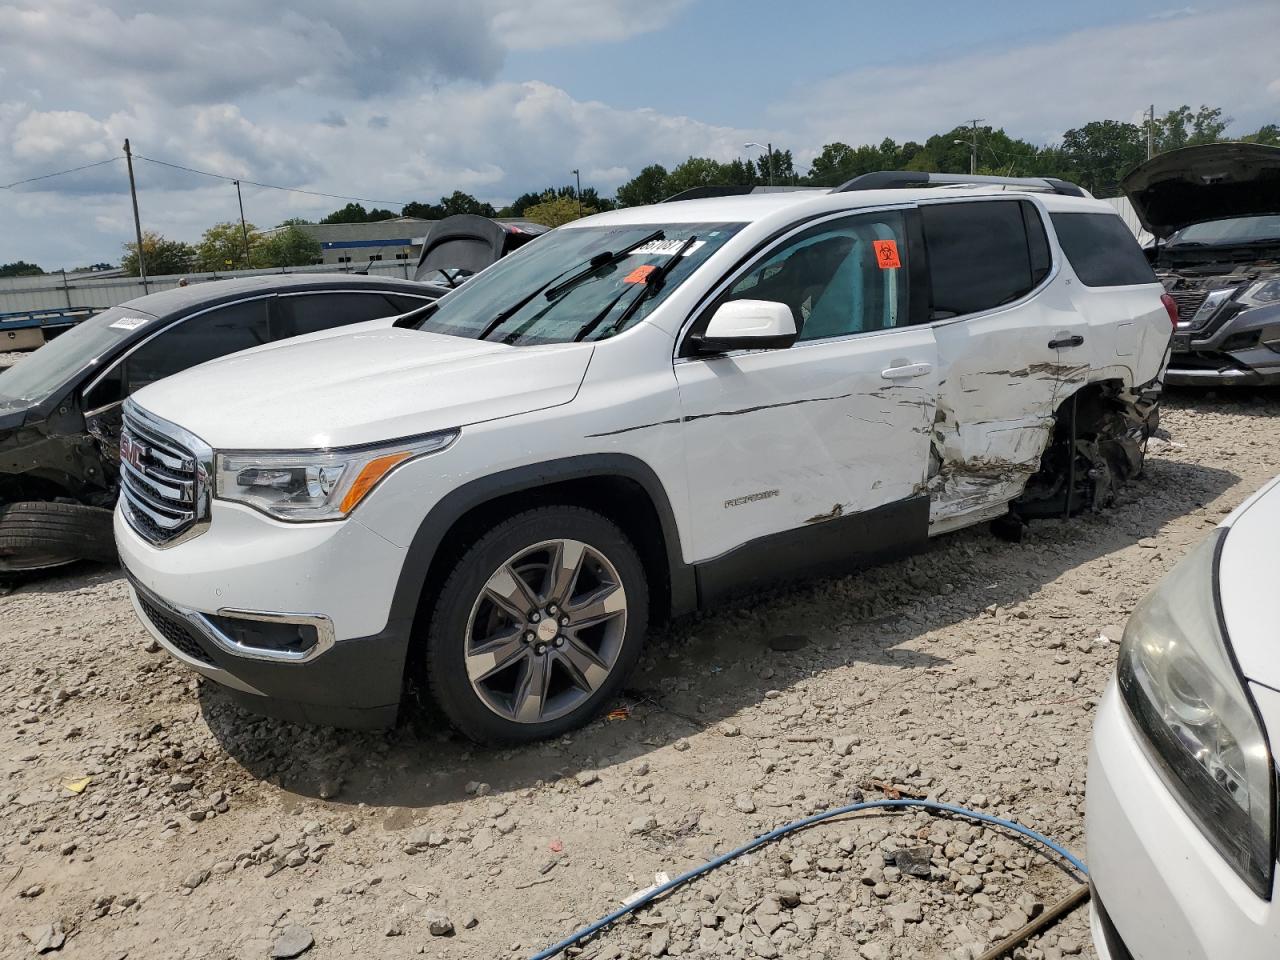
{"type": "Point", "coordinates": [367, 387]}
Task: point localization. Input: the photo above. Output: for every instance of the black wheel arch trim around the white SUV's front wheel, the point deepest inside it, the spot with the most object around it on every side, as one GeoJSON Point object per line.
{"type": "Point", "coordinates": [620, 487]}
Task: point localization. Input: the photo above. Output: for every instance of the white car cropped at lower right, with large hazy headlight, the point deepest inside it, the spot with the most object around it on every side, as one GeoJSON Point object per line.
{"type": "Point", "coordinates": [1182, 797]}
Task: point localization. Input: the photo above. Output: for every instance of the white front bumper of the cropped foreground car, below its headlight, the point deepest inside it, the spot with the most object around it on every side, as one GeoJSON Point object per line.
{"type": "Point", "coordinates": [1164, 890]}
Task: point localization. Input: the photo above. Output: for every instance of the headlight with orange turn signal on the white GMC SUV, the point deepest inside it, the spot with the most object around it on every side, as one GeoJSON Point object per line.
{"type": "Point", "coordinates": [316, 484]}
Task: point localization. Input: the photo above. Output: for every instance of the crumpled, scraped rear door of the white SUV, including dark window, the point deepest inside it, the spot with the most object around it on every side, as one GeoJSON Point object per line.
{"type": "Point", "coordinates": [1013, 348]}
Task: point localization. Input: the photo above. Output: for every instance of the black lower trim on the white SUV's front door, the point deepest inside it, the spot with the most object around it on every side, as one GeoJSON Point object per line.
{"type": "Point", "coordinates": [826, 547]}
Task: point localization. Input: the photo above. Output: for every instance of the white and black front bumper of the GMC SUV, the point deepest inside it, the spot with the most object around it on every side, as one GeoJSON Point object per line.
{"type": "Point", "coordinates": [340, 578]}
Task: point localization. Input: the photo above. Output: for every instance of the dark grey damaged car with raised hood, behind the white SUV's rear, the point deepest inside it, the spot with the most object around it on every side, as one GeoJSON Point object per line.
{"type": "Point", "coordinates": [1215, 213]}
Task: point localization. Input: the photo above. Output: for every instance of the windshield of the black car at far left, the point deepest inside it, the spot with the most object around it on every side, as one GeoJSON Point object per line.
{"type": "Point", "coordinates": [85, 345]}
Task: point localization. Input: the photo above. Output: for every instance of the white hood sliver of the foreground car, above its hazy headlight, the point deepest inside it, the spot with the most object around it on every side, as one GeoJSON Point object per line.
{"type": "Point", "coordinates": [1247, 586]}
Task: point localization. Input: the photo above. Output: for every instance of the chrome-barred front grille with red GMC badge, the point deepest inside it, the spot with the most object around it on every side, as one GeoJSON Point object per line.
{"type": "Point", "coordinates": [166, 479]}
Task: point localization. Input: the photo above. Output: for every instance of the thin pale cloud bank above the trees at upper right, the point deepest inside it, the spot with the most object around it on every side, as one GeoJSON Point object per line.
{"type": "Point", "coordinates": [1041, 90]}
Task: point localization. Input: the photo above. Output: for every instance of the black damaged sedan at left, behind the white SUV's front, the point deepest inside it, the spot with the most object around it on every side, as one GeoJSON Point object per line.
{"type": "Point", "coordinates": [61, 406]}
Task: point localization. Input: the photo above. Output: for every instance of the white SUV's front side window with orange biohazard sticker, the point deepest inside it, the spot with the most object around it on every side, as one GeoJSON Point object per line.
{"type": "Point", "coordinates": [839, 278]}
